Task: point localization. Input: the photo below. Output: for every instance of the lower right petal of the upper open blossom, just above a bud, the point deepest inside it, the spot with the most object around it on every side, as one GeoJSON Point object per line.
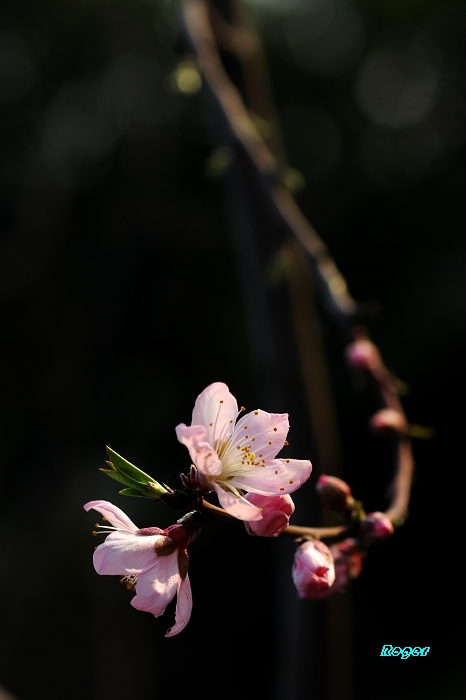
{"type": "Point", "coordinates": [280, 476]}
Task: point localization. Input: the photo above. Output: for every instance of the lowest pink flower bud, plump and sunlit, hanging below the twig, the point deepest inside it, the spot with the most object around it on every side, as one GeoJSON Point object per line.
{"type": "Point", "coordinates": [313, 569]}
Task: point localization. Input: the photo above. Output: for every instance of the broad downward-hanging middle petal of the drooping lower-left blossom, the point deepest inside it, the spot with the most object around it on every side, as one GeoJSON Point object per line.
{"type": "Point", "coordinates": [157, 586]}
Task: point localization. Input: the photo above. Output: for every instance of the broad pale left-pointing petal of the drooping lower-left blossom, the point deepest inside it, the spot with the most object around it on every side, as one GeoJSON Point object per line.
{"type": "Point", "coordinates": [125, 553]}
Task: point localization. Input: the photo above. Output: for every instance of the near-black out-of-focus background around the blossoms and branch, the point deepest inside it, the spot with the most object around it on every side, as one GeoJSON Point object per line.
{"type": "Point", "coordinates": [120, 302]}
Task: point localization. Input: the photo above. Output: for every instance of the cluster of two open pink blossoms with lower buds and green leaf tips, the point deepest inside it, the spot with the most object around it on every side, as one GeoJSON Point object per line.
{"type": "Point", "coordinates": [234, 456]}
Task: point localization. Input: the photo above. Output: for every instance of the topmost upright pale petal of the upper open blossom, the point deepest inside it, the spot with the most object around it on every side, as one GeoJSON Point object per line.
{"type": "Point", "coordinates": [216, 409]}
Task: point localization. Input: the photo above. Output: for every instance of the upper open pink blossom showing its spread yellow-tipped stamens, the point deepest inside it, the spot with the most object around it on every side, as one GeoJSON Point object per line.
{"type": "Point", "coordinates": [232, 457]}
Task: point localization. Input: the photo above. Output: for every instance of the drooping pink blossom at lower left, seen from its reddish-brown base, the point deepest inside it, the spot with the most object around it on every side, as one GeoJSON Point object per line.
{"type": "Point", "coordinates": [153, 563]}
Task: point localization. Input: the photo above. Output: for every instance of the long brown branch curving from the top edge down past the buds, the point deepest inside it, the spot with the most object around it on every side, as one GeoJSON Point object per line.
{"type": "Point", "coordinates": [332, 285]}
